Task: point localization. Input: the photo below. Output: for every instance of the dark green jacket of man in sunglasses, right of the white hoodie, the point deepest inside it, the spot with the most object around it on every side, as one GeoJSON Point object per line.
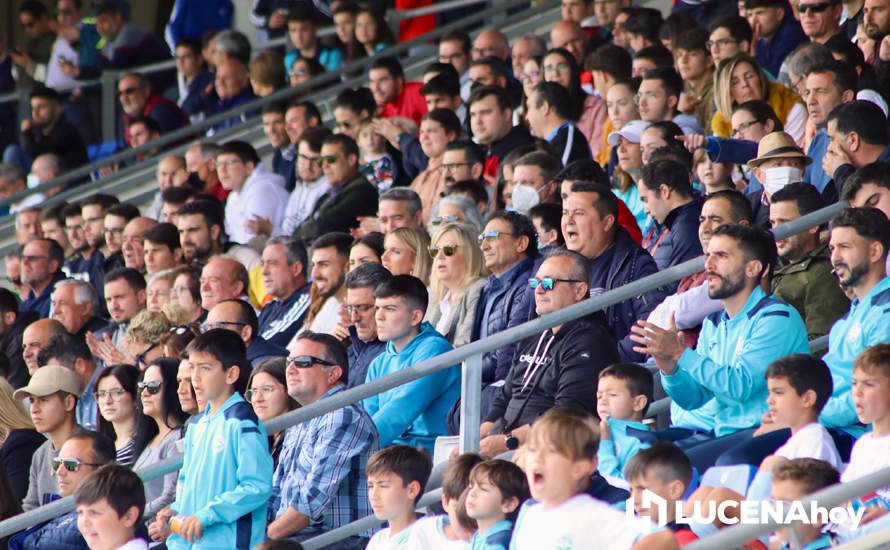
{"type": "Point", "coordinates": [356, 198]}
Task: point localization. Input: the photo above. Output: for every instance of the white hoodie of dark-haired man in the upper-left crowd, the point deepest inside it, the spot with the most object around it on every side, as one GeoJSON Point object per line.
{"type": "Point", "coordinates": [263, 194]}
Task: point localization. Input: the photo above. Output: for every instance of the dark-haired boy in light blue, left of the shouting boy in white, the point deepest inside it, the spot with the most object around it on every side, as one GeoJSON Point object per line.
{"type": "Point", "coordinates": [497, 489]}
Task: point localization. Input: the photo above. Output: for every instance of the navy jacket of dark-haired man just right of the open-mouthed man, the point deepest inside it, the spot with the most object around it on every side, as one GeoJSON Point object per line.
{"type": "Point", "coordinates": [676, 240]}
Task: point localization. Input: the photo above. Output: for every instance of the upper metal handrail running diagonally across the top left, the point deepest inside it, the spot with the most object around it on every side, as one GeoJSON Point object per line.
{"type": "Point", "coordinates": [256, 105]}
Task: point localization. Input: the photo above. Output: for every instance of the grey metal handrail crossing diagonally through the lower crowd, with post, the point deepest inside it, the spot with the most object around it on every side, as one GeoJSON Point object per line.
{"type": "Point", "coordinates": [453, 357]}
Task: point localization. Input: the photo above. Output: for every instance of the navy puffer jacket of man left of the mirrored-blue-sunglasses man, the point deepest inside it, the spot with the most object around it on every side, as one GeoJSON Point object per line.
{"type": "Point", "coordinates": [509, 308]}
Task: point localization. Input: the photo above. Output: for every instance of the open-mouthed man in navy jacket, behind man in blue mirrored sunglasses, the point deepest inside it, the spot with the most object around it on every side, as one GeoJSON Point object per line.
{"type": "Point", "coordinates": [589, 225]}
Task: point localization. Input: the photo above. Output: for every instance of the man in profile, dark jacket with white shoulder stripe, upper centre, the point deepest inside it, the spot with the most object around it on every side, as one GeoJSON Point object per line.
{"type": "Point", "coordinates": [548, 117]}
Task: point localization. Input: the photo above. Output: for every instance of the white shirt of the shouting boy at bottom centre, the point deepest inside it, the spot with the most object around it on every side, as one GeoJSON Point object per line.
{"type": "Point", "coordinates": [580, 523]}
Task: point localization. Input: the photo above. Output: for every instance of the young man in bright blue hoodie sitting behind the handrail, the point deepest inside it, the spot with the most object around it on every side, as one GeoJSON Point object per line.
{"type": "Point", "coordinates": [412, 414]}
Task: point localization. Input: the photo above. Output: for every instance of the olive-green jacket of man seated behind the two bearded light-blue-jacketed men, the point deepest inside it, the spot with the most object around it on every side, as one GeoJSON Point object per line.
{"type": "Point", "coordinates": [810, 287]}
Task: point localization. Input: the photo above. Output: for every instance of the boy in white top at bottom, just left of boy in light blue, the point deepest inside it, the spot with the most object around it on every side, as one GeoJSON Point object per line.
{"type": "Point", "coordinates": [455, 529]}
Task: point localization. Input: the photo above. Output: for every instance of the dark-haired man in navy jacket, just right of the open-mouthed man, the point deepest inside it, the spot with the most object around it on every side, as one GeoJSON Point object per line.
{"type": "Point", "coordinates": [666, 194]}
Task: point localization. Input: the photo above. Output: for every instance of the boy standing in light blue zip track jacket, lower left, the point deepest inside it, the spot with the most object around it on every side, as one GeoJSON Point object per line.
{"type": "Point", "coordinates": [226, 477]}
